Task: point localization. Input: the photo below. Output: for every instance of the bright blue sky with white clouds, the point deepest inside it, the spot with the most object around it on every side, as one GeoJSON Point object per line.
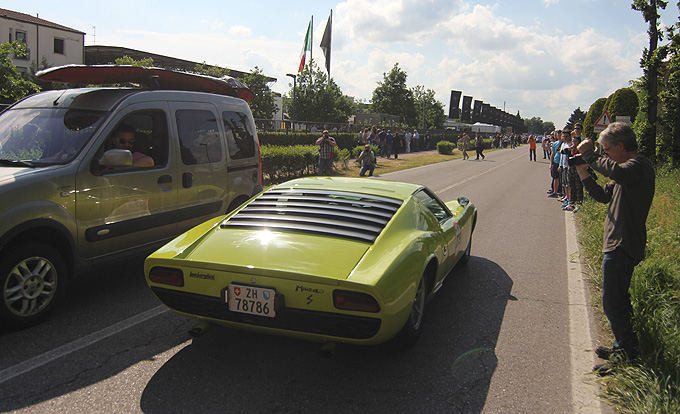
{"type": "Point", "coordinates": [543, 58]}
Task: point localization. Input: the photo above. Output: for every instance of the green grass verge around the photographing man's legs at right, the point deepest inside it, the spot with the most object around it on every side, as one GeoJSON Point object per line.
{"type": "Point", "coordinates": [652, 383]}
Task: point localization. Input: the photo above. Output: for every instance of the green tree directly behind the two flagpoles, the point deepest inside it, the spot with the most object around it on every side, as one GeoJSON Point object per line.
{"type": "Point", "coordinates": [317, 99]}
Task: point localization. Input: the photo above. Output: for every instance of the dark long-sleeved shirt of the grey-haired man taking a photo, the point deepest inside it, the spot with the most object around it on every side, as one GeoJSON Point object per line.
{"type": "Point", "coordinates": [630, 193]}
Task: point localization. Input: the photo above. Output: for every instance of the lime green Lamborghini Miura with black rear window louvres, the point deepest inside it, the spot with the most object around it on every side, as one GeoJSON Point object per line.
{"type": "Point", "coordinates": [326, 259]}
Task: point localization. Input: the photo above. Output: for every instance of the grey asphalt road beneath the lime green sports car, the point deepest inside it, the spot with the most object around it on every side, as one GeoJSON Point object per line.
{"type": "Point", "coordinates": [496, 338]}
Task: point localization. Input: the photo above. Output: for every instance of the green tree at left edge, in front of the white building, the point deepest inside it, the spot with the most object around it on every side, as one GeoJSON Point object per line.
{"type": "Point", "coordinates": [13, 86]}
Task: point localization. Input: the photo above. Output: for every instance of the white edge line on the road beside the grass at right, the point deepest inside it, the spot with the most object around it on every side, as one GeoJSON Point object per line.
{"type": "Point", "coordinates": [584, 391]}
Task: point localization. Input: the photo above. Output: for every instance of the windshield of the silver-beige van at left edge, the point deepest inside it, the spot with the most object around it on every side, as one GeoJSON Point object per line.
{"type": "Point", "coordinates": [40, 136]}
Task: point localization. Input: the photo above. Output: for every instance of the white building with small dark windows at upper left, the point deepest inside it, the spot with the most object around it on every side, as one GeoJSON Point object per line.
{"type": "Point", "coordinates": [46, 42]}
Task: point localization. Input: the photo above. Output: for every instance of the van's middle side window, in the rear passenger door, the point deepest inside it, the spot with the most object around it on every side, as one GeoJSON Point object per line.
{"type": "Point", "coordinates": [199, 136]}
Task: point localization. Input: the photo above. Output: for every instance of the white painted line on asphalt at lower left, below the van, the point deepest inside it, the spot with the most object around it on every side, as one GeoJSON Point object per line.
{"type": "Point", "coordinates": [49, 356]}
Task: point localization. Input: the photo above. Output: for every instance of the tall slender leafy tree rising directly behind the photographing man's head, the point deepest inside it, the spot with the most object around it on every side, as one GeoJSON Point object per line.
{"type": "Point", "coordinates": [650, 64]}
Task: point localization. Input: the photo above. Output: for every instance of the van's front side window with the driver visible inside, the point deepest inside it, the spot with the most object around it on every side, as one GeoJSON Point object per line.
{"type": "Point", "coordinates": [144, 134]}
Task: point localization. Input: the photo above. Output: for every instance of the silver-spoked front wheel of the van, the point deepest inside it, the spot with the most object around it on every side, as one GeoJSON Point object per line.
{"type": "Point", "coordinates": [33, 279]}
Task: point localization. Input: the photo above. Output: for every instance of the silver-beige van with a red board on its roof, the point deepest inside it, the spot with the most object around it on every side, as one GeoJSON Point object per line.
{"type": "Point", "coordinates": [96, 175]}
